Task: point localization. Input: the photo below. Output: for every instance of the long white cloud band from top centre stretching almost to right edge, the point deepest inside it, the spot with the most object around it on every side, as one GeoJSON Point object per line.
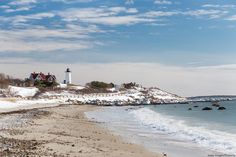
{"type": "Point", "coordinates": [129, 16]}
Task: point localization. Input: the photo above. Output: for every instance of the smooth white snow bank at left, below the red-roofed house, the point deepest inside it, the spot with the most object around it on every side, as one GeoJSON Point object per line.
{"type": "Point", "coordinates": [22, 91]}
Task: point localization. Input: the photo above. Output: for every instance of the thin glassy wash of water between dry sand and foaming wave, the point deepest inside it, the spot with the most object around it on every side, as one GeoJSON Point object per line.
{"type": "Point", "coordinates": [131, 130]}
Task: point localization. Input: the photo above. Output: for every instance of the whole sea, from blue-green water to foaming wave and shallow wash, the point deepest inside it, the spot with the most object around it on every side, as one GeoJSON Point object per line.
{"type": "Point", "coordinates": [174, 129]}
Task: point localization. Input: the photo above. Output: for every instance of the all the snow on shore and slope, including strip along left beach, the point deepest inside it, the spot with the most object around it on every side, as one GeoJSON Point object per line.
{"type": "Point", "coordinates": [136, 95]}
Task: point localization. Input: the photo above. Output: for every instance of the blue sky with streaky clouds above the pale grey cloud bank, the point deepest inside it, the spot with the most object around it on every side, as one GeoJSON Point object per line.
{"type": "Point", "coordinates": [185, 32]}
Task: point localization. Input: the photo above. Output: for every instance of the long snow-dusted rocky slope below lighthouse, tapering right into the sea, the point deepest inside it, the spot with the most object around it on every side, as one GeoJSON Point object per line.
{"type": "Point", "coordinates": [137, 95]}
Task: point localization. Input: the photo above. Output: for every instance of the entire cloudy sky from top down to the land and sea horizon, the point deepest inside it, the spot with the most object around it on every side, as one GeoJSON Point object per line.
{"type": "Point", "coordinates": [183, 46]}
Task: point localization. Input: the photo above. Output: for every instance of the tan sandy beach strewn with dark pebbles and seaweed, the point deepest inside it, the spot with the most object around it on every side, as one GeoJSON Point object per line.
{"type": "Point", "coordinates": [62, 131]}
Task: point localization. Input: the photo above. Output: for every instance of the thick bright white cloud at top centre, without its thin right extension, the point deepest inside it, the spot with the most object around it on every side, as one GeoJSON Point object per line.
{"type": "Point", "coordinates": [105, 16]}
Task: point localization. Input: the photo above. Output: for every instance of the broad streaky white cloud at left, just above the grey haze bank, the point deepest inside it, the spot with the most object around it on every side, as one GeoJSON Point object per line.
{"type": "Point", "coordinates": [40, 39]}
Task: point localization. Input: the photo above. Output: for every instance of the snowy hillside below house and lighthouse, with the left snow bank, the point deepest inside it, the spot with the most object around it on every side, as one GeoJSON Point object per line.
{"type": "Point", "coordinates": [136, 95]}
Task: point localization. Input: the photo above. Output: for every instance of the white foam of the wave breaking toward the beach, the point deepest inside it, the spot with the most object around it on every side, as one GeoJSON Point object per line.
{"type": "Point", "coordinates": [210, 139]}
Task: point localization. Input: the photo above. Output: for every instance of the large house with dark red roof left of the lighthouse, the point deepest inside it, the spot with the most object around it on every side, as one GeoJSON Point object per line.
{"type": "Point", "coordinates": [42, 77]}
